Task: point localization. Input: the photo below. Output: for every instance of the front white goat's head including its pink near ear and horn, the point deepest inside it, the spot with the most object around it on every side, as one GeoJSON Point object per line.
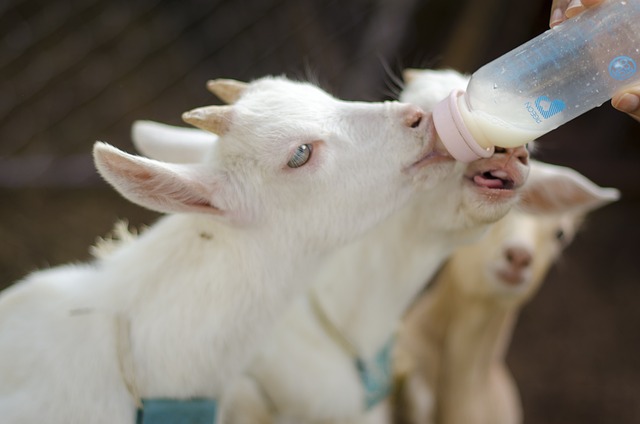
{"type": "Point", "coordinates": [292, 157]}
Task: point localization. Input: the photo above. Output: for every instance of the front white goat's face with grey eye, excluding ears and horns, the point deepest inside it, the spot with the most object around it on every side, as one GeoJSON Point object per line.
{"type": "Point", "coordinates": [309, 161]}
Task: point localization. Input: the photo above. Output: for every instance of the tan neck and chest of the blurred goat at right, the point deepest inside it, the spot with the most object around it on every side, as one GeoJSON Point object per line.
{"type": "Point", "coordinates": [475, 332]}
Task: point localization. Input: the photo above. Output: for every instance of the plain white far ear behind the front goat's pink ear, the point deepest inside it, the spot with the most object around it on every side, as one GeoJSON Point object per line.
{"type": "Point", "coordinates": [171, 144]}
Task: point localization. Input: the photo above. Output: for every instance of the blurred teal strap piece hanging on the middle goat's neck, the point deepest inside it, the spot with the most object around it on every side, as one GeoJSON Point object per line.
{"type": "Point", "coordinates": [377, 375]}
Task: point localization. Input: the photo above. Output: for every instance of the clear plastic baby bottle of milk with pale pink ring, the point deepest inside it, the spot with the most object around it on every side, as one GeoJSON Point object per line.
{"type": "Point", "coordinates": [561, 74]}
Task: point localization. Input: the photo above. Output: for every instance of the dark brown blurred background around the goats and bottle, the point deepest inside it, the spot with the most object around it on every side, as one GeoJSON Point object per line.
{"type": "Point", "coordinates": [75, 71]}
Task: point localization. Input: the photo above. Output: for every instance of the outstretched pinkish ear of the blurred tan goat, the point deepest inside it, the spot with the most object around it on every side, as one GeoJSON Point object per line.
{"type": "Point", "coordinates": [558, 189]}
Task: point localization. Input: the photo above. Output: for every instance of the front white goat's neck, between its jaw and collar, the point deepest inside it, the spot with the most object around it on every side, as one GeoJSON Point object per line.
{"type": "Point", "coordinates": [218, 274]}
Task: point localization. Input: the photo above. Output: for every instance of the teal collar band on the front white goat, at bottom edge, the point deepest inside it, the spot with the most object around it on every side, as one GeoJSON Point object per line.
{"type": "Point", "coordinates": [171, 411]}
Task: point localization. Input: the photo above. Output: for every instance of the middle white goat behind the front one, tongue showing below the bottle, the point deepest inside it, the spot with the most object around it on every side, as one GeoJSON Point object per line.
{"type": "Point", "coordinates": [312, 368]}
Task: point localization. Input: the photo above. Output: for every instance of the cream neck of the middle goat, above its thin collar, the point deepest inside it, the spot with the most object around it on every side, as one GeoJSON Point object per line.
{"type": "Point", "coordinates": [383, 272]}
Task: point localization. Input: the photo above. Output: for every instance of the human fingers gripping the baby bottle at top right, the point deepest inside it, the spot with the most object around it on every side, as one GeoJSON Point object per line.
{"type": "Point", "coordinates": [627, 101]}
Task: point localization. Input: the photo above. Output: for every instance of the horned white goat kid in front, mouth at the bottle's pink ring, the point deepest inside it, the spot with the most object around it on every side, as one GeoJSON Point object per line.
{"type": "Point", "coordinates": [178, 312]}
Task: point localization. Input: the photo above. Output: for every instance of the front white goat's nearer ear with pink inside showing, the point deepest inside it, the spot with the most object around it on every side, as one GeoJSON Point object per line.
{"type": "Point", "coordinates": [164, 187]}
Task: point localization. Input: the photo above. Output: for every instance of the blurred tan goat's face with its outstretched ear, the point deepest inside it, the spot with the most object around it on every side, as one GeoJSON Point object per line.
{"type": "Point", "coordinates": [512, 259]}
